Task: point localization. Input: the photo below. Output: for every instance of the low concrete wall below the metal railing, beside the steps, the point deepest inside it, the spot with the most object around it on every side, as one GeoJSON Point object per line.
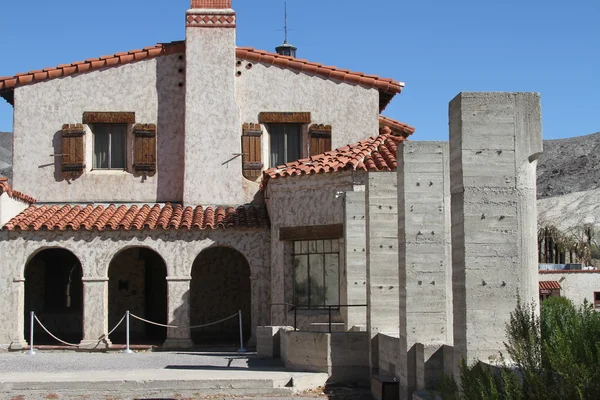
{"type": "Point", "coordinates": [344, 356]}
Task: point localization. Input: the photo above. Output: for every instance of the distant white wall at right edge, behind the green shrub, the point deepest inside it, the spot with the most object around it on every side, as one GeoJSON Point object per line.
{"type": "Point", "coordinates": [575, 286]}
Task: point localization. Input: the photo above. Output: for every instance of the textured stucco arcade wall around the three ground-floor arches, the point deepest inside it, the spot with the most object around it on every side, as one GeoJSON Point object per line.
{"type": "Point", "coordinates": [178, 249]}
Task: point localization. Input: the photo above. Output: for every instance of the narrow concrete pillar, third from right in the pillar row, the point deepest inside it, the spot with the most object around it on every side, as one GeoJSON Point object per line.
{"type": "Point", "coordinates": [386, 291]}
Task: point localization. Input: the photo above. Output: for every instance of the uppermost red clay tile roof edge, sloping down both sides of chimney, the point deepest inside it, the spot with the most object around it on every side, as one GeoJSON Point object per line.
{"type": "Point", "coordinates": [387, 87]}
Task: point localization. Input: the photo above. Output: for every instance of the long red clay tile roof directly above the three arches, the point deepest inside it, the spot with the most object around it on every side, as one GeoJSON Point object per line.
{"type": "Point", "coordinates": [129, 218]}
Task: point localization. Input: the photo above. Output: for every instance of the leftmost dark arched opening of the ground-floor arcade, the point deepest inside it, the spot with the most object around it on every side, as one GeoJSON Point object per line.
{"type": "Point", "coordinates": [54, 291]}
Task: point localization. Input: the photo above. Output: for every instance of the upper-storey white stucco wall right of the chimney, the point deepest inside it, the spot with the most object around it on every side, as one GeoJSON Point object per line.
{"type": "Point", "coordinates": [351, 110]}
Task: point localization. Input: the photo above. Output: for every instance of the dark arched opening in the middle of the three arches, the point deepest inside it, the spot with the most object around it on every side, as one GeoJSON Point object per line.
{"type": "Point", "coordinates": [137, 282]}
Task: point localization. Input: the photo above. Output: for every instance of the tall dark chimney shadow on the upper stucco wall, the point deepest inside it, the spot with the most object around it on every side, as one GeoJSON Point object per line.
{"type": "Point", "coordinates": [170, 87]}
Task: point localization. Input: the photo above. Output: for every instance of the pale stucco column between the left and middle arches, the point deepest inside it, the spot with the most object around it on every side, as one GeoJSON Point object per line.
{"type": "Point", "coordinates": [95, 313]}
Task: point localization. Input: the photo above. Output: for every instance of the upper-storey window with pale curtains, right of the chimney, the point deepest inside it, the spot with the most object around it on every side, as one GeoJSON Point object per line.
{"type": "Point", "coordinates": [286, 143]}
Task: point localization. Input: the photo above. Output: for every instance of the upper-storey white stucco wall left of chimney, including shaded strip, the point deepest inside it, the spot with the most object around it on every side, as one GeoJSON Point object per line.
{"type": "Point", "coordinates": [149, 88]}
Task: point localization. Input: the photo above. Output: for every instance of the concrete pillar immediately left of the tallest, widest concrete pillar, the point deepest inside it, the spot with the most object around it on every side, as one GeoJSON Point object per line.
{"type": "Point", "coordinates": [424, 249]}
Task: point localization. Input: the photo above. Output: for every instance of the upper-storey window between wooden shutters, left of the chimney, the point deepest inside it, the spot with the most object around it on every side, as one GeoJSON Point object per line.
{"type": "Point", "coordinates": [109, 146]}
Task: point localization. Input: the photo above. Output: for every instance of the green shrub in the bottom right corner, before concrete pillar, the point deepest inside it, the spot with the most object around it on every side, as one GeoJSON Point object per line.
{"type": "Point", "coordinates": [554, 356]}
